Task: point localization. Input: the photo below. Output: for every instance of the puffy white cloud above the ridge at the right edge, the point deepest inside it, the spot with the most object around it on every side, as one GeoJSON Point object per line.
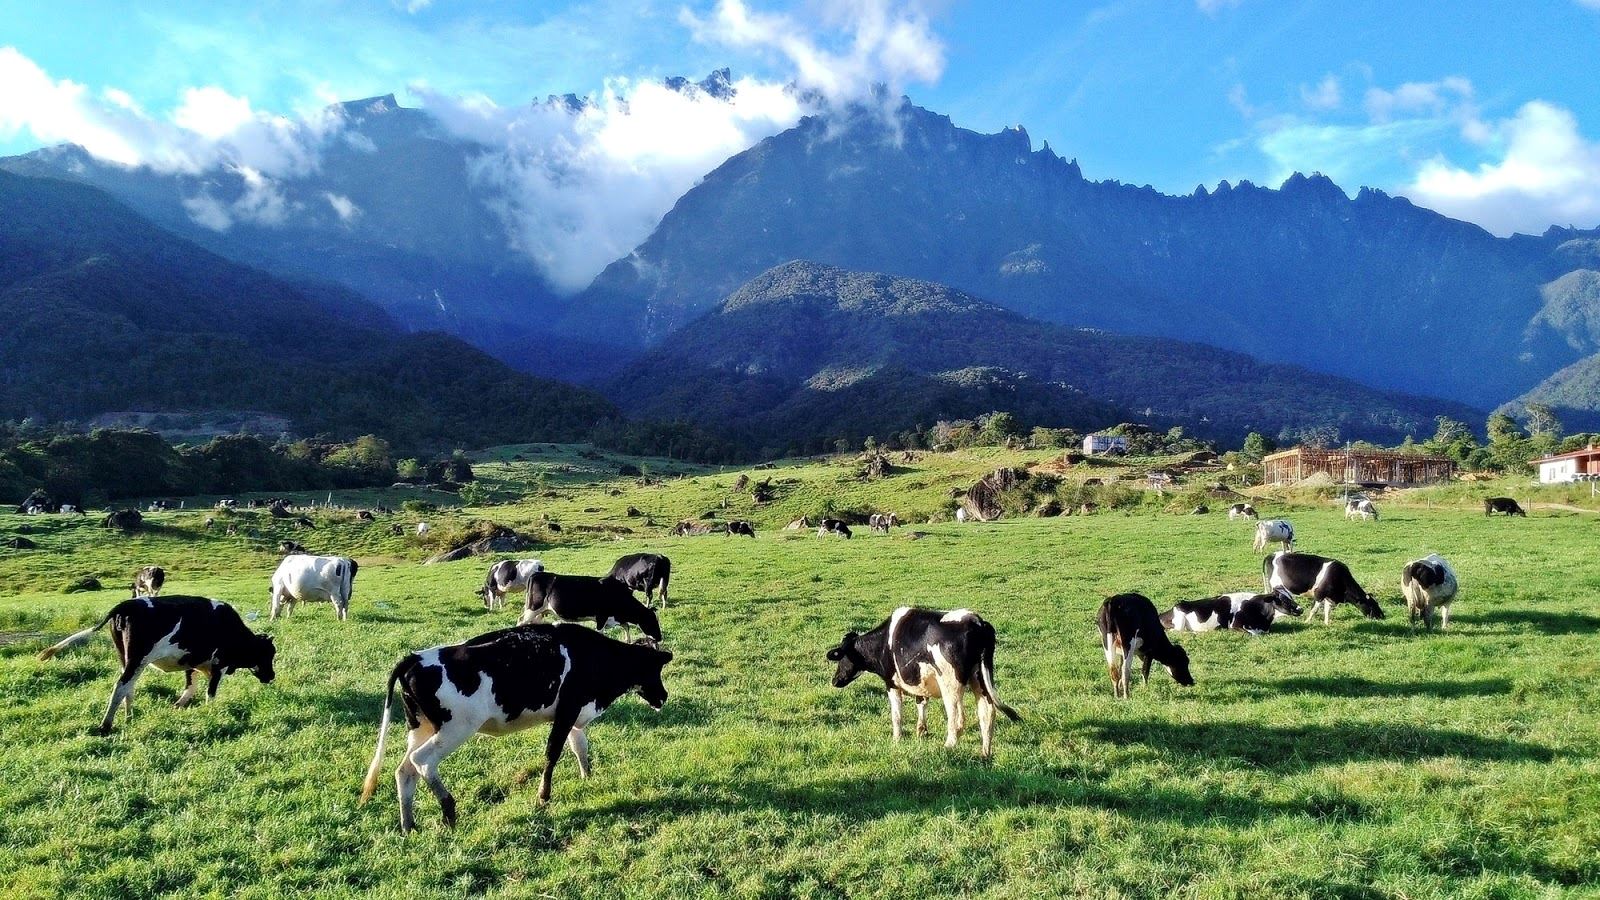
{"type": "Point", "coordinates": [1545, 172]}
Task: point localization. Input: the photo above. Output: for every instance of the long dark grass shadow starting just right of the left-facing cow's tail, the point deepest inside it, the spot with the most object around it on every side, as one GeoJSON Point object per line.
{"type": "Point", "coordinates": [1297, 749]}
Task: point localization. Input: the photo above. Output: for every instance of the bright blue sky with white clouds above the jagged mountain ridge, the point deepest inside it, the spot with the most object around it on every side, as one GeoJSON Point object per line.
{"type": "Point", "coordinates": [1486, 110]}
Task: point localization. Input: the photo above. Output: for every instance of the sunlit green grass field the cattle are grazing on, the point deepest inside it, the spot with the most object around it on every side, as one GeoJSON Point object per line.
{"type": "Point", "coordinates": [1343, 761]}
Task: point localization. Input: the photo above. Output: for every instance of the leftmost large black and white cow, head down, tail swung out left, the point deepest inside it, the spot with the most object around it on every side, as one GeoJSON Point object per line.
{"type": "Point", "coordinates": [177, 633]}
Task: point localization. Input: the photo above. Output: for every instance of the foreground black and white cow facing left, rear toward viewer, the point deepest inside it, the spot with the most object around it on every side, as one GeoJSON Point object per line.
{"type": "Point", "coordinates": [929, 654]}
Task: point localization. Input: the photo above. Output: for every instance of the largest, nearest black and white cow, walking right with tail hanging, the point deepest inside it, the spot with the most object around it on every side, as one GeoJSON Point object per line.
{"type": "Point", "coordinates": [503, 683]}
